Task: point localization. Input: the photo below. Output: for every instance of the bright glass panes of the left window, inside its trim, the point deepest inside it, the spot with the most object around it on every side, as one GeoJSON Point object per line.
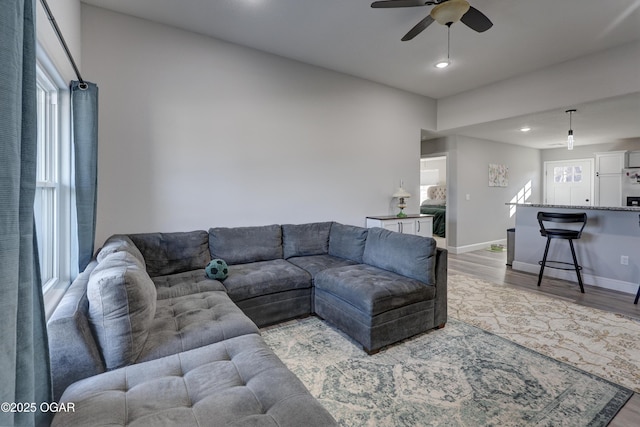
{"type": "Point", "coordinates": [47, 198]}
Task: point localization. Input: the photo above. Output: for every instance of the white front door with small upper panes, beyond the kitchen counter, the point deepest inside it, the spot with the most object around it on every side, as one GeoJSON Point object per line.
{"type": "Point", "coordinates": [569, 182]}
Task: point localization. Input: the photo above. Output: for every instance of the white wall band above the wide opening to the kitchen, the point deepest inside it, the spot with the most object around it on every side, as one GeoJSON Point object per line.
{"type": "Point", "coordinates": [602, 75]}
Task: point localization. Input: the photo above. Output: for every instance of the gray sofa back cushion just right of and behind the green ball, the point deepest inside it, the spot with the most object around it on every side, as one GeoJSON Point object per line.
{"type": "Point", "coordinates": [242, 245]}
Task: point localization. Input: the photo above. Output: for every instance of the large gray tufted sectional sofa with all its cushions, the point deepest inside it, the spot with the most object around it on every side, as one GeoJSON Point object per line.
{"type": "Point", "coordinates": [143, 337]}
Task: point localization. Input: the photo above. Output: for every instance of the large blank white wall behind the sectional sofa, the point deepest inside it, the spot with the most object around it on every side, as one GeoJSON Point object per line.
{"type": "Point", "coordinates": [195, 132]}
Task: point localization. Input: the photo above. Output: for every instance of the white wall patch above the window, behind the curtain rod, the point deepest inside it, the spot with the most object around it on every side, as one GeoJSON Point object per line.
{"type": "Point", "coordinates": [67, 16]}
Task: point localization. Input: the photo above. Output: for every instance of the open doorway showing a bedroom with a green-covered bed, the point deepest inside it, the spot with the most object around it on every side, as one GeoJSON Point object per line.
{"type": "Point", "coordinates": [433, 194]}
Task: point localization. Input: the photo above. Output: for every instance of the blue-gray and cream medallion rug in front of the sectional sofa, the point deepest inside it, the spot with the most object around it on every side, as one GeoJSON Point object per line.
{"type": "Point", "coordinates": [456, 376]}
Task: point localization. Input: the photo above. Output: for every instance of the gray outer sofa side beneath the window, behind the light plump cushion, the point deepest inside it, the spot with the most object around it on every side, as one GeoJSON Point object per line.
{"type": "Point", "coordinates": [73, 350]}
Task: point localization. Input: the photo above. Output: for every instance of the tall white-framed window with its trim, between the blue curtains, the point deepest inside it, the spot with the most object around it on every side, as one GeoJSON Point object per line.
{"type": "Point", "coordinates": [52, 207]}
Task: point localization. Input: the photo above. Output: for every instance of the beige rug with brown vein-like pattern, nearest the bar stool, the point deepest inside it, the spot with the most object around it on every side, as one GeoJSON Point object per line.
{"type": "Point", "coordinates": [602, 343]}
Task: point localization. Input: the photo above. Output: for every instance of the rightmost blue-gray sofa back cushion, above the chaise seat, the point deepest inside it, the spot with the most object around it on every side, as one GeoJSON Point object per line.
{"type": "Point", "coordinates": [408, 255]}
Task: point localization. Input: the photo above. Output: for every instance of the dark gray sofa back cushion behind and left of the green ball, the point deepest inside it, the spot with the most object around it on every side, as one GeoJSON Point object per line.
{"type": "Point", "coordinates": [169, 253]}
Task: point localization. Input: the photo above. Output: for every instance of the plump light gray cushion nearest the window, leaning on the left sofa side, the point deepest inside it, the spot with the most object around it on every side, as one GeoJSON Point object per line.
{"type": "Point", "coordinates": [122, 305]}
